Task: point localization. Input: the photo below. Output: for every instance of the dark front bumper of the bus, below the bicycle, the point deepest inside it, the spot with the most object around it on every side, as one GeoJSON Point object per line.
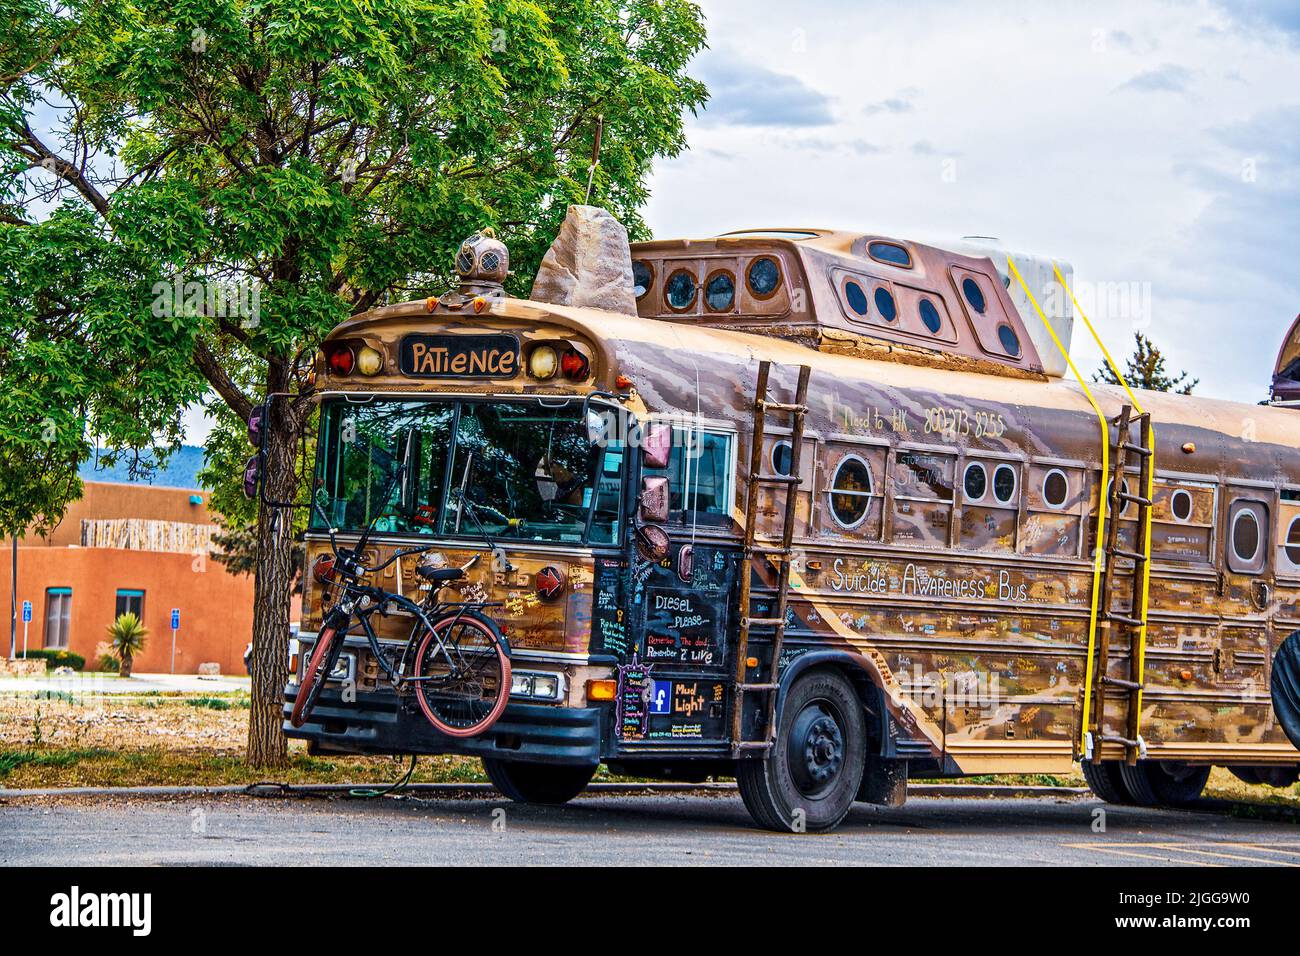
{"type": "Point", "coordinates": [378, 724]}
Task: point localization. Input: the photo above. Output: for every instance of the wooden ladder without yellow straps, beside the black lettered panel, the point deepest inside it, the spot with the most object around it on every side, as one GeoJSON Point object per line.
{"type": "Point", "coordinates": [779, 555]}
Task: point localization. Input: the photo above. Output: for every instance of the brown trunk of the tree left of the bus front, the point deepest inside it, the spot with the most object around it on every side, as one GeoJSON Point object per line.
{"type": "Point", "coordinates": [274, 594]}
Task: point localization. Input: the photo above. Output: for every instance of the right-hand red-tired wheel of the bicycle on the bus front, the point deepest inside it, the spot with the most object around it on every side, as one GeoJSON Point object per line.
{"type": "Point", "coordinates": [466, 682]}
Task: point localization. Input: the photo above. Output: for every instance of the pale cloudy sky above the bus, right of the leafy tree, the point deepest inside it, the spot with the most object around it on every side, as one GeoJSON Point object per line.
{"type": "Point", "coordinates": [1152, 145]}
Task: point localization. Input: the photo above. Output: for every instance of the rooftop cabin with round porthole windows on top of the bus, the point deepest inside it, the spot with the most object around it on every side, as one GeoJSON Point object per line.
{"type": "Point", "coordinates": [863, 295]}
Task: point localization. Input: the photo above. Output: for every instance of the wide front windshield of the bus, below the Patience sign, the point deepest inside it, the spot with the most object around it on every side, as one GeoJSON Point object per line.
{"type": "Point", "coordinates": [528, 471]}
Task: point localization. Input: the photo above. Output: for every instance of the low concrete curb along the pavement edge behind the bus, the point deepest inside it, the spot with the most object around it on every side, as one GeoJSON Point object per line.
{"type": "Point", "coordinates": [453, 790]}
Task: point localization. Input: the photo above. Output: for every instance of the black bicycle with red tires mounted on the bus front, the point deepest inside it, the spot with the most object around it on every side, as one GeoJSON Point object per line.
{"type": "Point", "coordinates": [456, 661]}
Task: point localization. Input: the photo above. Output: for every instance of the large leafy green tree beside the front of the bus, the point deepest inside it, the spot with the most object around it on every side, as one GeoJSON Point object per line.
{"type": "Point", "coordinates": [193, 193]}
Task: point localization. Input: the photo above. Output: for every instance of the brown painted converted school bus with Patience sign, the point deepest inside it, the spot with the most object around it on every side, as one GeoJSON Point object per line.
{"type": "Point", "coordinates": [913, 534]}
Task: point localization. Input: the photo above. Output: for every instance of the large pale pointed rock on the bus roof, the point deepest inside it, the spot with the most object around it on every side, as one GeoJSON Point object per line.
{"type": "Point", "coordinates": [590, 265]}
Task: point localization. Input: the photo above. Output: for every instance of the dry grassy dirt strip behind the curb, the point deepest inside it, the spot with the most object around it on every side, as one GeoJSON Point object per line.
{"type": "Point", "coordinates": [60, 741]}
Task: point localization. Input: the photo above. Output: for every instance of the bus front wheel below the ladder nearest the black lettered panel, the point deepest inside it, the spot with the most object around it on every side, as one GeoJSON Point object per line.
{"type": "Point", "coordinates": [812, 776]}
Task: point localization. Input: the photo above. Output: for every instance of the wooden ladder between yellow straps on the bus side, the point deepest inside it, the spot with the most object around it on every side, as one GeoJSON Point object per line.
{"type": "Point", "coordinates": [1136, 617]}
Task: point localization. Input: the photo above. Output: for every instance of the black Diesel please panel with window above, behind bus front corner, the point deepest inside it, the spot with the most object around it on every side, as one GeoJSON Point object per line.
{"type": "Point", "coordinates": [673, 684]}
